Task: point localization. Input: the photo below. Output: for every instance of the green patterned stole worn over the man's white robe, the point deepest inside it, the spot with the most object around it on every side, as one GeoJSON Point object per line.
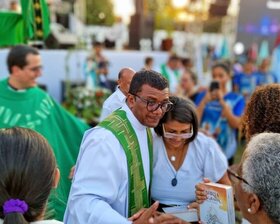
{"type": "Point", "coordinates": [120, 126]}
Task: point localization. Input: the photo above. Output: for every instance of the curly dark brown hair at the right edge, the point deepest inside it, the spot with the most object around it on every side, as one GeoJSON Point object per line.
{"type": "Point", "coordinates": [262, 113]}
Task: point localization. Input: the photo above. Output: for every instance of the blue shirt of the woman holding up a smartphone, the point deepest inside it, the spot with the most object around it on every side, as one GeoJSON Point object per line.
{"type": "Point", "coordinates": [217, 126]}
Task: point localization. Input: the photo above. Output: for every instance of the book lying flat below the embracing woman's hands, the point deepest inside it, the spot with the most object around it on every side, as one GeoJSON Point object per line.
{"type": "Point", "coordinates": [182, 212]}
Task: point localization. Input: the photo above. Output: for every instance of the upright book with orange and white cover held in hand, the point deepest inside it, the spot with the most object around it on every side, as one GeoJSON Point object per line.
{"type": "Point", "coordinates": [218, 208]}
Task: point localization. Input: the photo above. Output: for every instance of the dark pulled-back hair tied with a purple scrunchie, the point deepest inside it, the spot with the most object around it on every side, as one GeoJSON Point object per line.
{"type": "Point", "coordinates": [27, 168]}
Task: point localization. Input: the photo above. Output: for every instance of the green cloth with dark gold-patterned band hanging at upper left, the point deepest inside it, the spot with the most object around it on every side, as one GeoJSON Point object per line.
{"type": "Point", "coordinates": [36, 19]}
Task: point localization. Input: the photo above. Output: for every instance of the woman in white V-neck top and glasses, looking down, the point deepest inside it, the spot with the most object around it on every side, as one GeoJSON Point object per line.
{"type": "Point", "coordinates": [183, 156]}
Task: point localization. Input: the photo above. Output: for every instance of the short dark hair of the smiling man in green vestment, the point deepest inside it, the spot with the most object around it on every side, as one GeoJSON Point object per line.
{"type": "Point", "coordinates": [17, 56]}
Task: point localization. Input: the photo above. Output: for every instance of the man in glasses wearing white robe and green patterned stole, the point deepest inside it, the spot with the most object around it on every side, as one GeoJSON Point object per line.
{"type": "Point", "coordinates": [114, 167]}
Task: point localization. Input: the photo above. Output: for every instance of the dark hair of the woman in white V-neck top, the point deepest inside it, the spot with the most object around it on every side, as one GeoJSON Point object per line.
{"type": "Point", "coordinates": [183, 111]}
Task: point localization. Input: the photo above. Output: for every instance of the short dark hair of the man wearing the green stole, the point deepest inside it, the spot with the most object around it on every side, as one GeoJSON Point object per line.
{"type": "Point", "coordinates": [149, 77]}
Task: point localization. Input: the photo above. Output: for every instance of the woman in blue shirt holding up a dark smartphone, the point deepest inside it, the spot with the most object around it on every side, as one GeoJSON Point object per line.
{"type": "Point", "coordinates": [219, 111]}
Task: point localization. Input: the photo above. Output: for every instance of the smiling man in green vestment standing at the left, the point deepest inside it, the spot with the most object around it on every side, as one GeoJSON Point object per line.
{"type": "Point", "coordinates": [23, 104]}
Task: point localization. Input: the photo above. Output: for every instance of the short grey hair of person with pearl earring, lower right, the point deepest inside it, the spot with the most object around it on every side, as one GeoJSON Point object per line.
{"type": "Point", "coordinates": [261, 168]}
